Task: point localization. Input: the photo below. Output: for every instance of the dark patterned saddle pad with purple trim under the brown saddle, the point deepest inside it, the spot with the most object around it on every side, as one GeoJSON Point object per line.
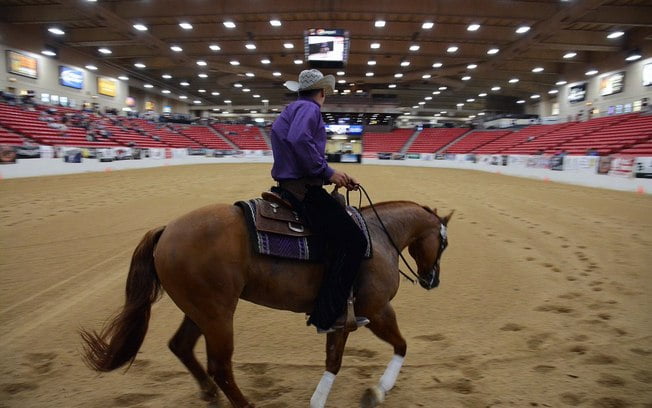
{"type": "Point", "coordinates": [308, 248]}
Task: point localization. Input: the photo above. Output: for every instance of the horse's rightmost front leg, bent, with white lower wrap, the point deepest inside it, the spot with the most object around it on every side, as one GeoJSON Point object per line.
{"type": "Point", "coordinates": [384, 326]}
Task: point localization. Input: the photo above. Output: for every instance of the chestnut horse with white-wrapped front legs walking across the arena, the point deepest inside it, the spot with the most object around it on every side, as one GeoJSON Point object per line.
{"type": "Point", "coordinates": [204, 260]}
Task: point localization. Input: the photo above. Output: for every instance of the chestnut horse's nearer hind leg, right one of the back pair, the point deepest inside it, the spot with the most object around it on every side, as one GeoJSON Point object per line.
{"type": "Point", "coordinates": [219, 346]}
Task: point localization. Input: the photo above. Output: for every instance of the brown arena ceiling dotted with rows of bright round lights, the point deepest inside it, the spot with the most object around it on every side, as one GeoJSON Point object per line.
{"type": "Point", "coordinates": [553, 31]}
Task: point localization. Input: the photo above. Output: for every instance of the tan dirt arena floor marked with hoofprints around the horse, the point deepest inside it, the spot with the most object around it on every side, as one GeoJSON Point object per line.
{"type": "Point", "coordinates": [544, 302]}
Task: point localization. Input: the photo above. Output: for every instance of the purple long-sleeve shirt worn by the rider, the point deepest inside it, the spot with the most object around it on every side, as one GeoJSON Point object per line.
{"type": "Point", "coordinates": [299, 142]}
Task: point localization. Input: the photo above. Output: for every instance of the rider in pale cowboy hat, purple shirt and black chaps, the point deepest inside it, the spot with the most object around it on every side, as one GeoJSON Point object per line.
{"type": "Point", "coordinates": [298, 139]}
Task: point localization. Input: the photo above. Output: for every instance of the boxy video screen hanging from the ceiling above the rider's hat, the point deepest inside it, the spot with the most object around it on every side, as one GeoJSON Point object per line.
{"type": "Point", "coordinates": [326, 48]}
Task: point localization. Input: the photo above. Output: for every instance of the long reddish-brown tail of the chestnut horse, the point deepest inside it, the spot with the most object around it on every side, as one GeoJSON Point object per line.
{"type": "Point", "coordinates": [120, 339]}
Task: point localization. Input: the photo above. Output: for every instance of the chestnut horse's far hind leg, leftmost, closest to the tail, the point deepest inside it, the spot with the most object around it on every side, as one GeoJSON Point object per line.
{"type": "Point", "coordinates": [182, 345]}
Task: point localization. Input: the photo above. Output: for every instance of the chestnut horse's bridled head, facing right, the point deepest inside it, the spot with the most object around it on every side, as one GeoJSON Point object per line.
{"type": "Point", "coordinates": [428, 248]}
